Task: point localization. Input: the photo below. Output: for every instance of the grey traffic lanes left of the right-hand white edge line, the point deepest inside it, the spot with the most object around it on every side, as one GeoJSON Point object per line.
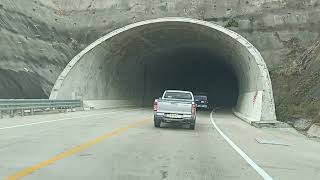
{"type": "Point", "coordinates": [125, 150]}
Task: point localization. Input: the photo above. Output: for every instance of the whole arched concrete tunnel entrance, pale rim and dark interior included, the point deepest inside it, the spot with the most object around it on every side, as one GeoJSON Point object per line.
{"type": "Point", "coordinates": [136, 63]}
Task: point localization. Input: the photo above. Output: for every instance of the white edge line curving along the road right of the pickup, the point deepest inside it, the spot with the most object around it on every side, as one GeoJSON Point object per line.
{"type": "Point", "coordinates": [256, 167]}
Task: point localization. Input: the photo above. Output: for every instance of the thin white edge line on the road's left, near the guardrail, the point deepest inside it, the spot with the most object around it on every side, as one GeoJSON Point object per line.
{"type": "Point", "coordinates": [63, 119]}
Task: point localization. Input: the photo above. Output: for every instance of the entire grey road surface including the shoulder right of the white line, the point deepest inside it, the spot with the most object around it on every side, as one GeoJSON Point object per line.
{"type": "Point", "coordinates": [123, 144]}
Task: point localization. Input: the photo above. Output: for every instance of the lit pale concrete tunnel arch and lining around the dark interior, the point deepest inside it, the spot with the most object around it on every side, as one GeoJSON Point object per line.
{"type": "Point", "coordinates": [94, 73]}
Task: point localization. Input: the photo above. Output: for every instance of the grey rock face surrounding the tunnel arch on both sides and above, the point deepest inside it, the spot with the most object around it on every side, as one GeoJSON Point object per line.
{"type": "Point", "coordinates": [39, 37]}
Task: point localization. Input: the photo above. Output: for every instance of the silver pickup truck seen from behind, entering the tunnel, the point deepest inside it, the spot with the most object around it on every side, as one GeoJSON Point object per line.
{"type": "Point", "coordinates": [175, 107]}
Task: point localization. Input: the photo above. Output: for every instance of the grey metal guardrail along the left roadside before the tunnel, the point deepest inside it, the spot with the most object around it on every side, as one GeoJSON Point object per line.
{"type": "Point", "coordinates": [13, 105]}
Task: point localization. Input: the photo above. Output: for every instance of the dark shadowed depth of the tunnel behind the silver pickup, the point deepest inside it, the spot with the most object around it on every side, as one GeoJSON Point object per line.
{"type": "Point", "coordinates": [189, 68]}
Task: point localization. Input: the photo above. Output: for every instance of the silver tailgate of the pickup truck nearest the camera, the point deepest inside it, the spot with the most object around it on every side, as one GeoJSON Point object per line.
{"type": "Point", "coordinates": [177, 107]}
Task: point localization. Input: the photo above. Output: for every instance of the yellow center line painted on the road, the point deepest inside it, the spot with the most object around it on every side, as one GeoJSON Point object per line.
{"type": "Point", "coordinates": [72, 151]}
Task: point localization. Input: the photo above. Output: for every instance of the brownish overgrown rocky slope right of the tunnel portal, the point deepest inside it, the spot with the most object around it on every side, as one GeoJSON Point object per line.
{"type": "Point", "coordinates": [297, 85]}
